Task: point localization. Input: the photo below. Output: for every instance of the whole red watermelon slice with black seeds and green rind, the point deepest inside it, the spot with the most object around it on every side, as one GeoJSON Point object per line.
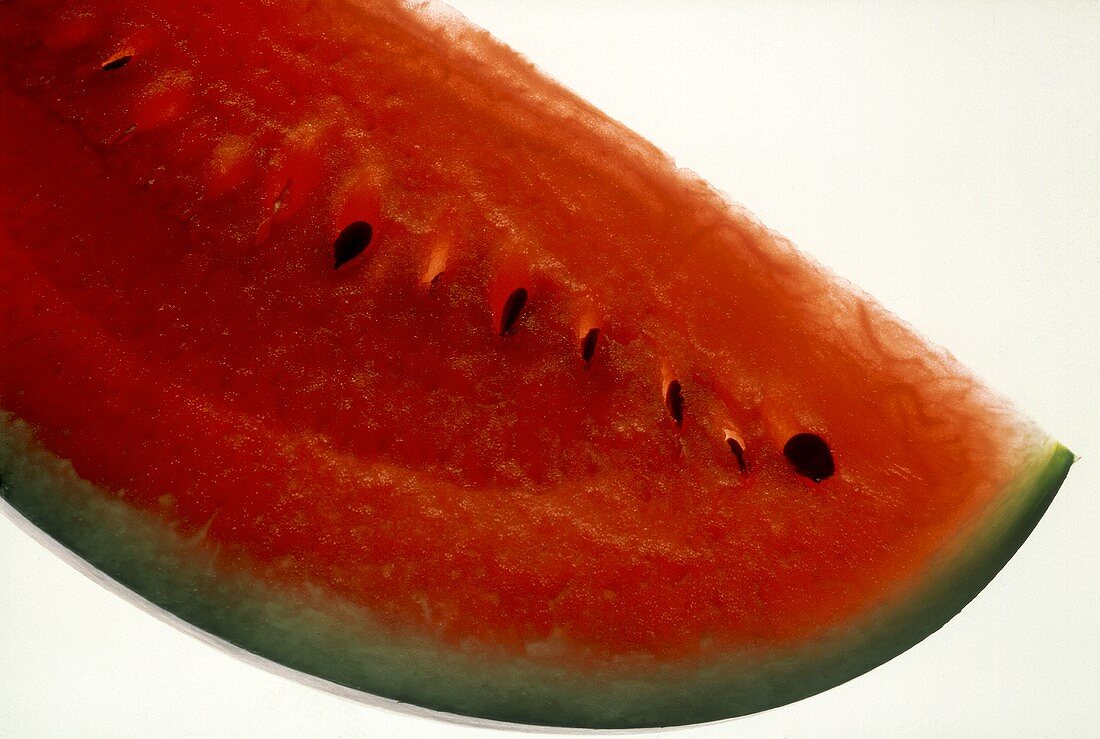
{"type": "Point", "coordinates": [344, 335]}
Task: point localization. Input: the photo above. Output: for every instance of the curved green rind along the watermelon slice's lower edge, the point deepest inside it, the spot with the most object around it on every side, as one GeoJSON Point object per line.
{"type": "Point", "coordinates": [315, 635]}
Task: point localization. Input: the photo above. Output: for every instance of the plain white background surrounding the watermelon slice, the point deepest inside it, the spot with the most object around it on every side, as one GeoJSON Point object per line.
{"type": "Point", "coordinates": [942, 156]}
